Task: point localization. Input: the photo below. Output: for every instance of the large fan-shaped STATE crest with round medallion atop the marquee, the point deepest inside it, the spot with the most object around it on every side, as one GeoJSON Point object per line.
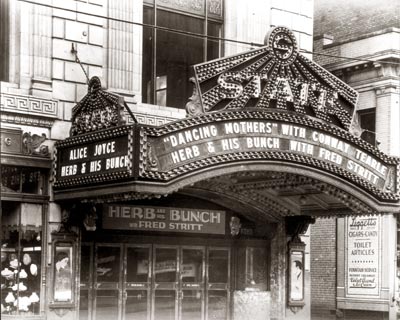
{"type": "Point", "coordinates": [274, 77]}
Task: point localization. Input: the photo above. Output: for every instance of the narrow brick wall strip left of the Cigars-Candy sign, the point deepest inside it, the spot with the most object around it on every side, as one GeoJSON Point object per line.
{"type": "Point", "coordinates": [323, 269]}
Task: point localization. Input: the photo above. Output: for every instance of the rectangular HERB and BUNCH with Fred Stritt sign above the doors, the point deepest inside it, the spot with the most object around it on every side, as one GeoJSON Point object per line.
{"type": "Point", "coordinates": [145, 218]}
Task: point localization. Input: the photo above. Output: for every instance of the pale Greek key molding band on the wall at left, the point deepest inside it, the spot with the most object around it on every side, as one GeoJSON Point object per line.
{"type": "Point", "coordinates": [29, 105]}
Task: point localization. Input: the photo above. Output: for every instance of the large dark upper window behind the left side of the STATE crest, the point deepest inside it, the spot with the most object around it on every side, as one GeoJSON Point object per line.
{"type": "Point", "coordinates": [168, 55]}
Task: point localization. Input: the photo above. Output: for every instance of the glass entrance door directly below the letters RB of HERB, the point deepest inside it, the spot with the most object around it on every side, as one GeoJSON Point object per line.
{"type": "Point", "coordinates": [137, 282]}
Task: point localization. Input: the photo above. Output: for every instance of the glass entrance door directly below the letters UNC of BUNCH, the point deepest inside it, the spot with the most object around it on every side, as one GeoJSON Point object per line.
{"type": "Point", "coordinates": [191, 283]}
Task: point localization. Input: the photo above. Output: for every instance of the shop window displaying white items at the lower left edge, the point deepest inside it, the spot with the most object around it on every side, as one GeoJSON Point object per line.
{"type": "Point", "coordinates": [21, 253]}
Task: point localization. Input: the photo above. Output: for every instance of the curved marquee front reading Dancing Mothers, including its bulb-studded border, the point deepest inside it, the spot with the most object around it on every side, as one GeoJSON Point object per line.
{"type": "Point", "coordinates": [261, 136]}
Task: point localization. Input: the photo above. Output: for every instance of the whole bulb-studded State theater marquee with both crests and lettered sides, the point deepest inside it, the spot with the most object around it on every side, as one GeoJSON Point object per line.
{"type": "Point", "coordinates": [269, 107]}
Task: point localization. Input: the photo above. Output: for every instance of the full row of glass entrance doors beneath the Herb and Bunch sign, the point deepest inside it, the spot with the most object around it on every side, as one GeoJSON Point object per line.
{"type": "Point", "coordinates": [154, 282]}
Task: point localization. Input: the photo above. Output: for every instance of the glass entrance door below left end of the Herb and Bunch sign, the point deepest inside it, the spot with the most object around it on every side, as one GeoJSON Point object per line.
{"type": "Point", "coordinates": [107, 282]}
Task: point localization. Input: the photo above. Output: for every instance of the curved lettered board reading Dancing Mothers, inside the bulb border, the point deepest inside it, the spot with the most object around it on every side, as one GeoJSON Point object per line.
{"type": "Point", "coordinates": [246, 137]}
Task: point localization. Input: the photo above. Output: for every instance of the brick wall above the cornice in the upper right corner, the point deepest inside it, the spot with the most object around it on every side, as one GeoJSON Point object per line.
{"type": "Point", "coordinates": [344, 19]}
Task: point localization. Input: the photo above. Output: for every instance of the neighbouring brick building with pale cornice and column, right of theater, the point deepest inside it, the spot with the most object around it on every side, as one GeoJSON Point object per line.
{"type": "Point", "coordinates": [368, 34]}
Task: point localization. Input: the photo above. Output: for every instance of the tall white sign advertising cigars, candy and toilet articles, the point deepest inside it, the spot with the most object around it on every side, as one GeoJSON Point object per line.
{"type": "Point", "coordinates": [363, 263]}
